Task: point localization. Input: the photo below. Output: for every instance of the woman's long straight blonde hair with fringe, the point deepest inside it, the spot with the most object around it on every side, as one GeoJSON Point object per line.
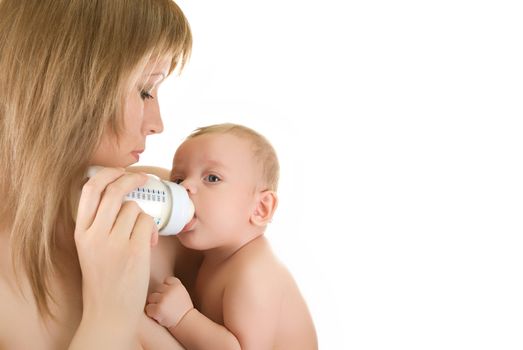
{"type": "Point", "coordinates": [65, 67]}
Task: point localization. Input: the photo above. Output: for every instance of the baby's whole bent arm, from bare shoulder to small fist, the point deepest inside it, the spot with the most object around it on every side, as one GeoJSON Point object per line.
{"type": "Point", "coordinates": [251, 308]}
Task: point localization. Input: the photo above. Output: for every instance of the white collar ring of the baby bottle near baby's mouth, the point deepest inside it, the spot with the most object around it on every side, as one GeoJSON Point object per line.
{"type": "Point", "coordinates": [182, 210]}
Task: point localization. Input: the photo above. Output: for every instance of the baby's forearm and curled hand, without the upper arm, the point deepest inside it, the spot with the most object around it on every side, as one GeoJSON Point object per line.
{"type": "Point", "coordinates": [171, 306]}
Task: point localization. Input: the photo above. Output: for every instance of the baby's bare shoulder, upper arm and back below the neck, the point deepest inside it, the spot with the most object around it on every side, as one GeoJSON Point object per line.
{"type": "Point", "coordinates": [261, 302]}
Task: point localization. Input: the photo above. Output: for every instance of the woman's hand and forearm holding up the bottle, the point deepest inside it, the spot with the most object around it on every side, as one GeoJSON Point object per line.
{"type": "Point", "coordinates": [113, 240]}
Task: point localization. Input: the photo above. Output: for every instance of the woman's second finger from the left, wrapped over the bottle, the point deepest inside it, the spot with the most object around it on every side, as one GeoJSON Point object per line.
{"type": "Point", "coordinates": [112, 200]}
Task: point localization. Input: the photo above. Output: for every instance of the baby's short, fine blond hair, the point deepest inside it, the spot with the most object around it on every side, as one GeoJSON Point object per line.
{"type": "Point", "coordinates": [262, 149]}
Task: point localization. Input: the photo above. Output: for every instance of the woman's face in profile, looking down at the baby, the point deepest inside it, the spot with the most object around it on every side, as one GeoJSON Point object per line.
{"type": "Point", "coordinates": [141, 118]}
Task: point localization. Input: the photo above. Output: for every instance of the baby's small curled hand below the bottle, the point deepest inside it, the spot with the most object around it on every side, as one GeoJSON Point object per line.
{"type": "Point", "coordinates": [170, 303]}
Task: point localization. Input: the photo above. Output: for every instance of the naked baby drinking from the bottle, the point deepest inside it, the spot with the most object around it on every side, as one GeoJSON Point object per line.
{"type": "Point", "coordinates": [243, 298]}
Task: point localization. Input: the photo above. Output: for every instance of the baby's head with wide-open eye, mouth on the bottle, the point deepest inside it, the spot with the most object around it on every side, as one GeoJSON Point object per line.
{"type": "Point", "coordinates": [231, 173]}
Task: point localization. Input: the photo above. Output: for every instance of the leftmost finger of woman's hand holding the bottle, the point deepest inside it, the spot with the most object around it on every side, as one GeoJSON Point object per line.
{"type": "Point", "coordinates": [91, 195]}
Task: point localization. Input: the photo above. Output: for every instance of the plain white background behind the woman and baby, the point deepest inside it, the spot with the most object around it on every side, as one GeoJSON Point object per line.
{"type": "Point", "coordinates": [398, 128]}
